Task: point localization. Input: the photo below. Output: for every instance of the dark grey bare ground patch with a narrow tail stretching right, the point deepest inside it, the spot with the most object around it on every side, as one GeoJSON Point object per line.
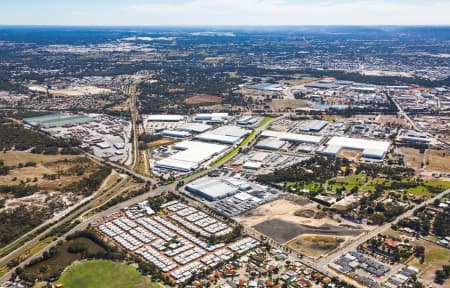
{"type": "Point", "coordinates": [283, 231]}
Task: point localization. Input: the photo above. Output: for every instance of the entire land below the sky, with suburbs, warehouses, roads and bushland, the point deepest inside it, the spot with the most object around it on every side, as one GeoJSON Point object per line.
{"type": "Point", "coordinates": [179, 158]}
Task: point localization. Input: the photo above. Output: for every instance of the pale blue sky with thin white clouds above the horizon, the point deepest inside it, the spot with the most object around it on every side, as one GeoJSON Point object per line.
{"type": "Point", "coordinates": [224, 12]}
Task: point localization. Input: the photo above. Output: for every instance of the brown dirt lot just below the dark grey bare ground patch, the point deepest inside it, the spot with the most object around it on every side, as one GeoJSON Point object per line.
{"type": "Point", "coordinates": [315, 246]}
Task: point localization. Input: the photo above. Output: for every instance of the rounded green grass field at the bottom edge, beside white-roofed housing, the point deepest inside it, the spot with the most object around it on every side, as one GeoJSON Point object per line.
{"type": "Point", "coordinates": [103, 274]}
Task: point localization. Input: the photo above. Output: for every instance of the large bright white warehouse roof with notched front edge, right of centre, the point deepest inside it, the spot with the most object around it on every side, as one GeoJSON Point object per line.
{"type": "Point", "coordinates": [370, 148]}
